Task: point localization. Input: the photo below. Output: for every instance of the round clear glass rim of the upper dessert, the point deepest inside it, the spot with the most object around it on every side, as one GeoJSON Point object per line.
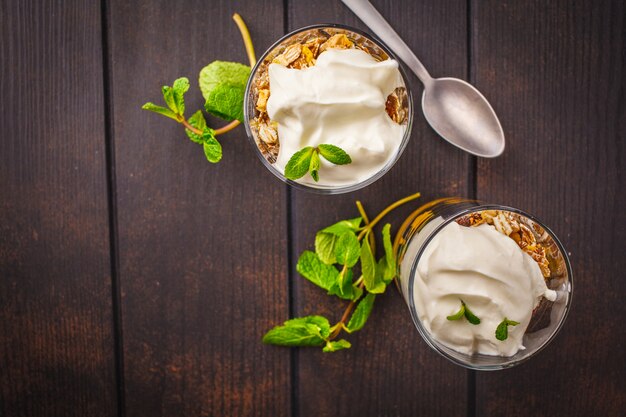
{"type": "Point", "coordinates": [330, 190]}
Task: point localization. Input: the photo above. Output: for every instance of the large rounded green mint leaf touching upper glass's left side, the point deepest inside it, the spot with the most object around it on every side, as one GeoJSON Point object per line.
{"type": "Point", "coordinates": [223, 86]}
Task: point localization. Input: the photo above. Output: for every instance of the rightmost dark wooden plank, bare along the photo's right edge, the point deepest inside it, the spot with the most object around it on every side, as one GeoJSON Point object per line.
{"type": "Point", "coordinates": [556, 74]}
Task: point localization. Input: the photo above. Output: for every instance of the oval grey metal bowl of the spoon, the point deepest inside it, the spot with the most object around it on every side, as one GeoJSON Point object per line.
{"type": "Point", "coordinates": [461, 115]}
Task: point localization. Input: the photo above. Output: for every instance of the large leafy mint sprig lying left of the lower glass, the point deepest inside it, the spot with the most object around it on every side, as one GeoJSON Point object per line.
{"type": "Point", "coordinates": [339, 249]}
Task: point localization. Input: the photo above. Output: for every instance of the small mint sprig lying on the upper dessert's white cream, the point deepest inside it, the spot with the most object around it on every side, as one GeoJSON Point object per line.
{"type": "Point", "coordinates": [307, 159]}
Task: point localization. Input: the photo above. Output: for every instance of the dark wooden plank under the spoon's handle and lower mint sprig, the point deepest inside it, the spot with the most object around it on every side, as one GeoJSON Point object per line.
{"type": "Point", "coordinates": [389, 370]}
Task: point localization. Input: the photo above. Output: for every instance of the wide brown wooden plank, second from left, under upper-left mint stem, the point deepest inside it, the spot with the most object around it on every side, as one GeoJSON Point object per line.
{"type": "Point", "coordinates": [203, 264]}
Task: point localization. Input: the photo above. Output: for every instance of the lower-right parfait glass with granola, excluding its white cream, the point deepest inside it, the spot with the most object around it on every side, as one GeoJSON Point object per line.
{"type": "Point", "coordinates": [426, 222]}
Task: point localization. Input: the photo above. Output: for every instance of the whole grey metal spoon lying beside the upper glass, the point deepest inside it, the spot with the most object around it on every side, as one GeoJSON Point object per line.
{"type": "Point", "coordinates": [454, 108]}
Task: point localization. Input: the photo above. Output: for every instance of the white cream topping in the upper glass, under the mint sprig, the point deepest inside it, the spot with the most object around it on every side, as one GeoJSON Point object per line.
{"type": "Point", "coordinates": [338, 101]}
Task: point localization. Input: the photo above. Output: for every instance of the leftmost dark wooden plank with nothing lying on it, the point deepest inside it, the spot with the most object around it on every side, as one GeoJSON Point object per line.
{"type": "Point", "coordinates": [56, 322]}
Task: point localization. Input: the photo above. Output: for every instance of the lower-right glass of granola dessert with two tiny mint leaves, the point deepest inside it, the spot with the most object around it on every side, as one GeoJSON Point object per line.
{"type": "Point", "coordinates": [488, 286]}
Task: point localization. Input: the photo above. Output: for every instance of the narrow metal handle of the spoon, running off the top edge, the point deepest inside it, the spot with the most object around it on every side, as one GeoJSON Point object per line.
{"type": "Point", "coordinates": [370, 16]}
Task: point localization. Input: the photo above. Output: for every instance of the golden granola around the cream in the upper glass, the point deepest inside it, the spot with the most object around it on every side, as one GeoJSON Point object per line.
{"type": "Point", "coordinates": [301, 51]}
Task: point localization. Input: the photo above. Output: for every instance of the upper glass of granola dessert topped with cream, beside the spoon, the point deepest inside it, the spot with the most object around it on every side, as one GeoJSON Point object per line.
{"type": "Point", "coordinates": [329, 85]}
